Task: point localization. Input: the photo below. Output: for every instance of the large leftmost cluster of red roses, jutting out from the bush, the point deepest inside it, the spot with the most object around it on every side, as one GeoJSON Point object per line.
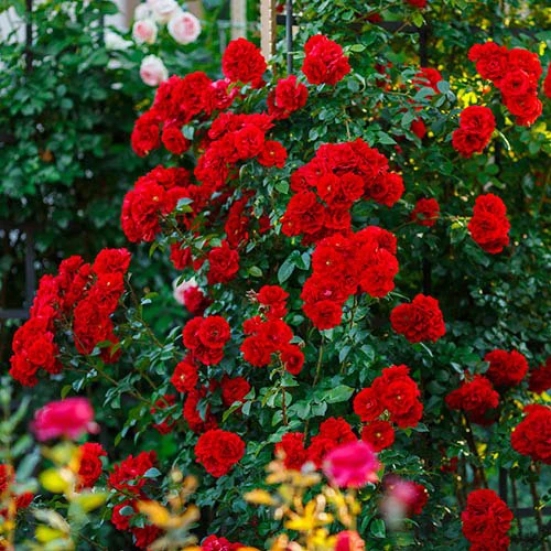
{"type": "Point", "coordinates": [81, 297]}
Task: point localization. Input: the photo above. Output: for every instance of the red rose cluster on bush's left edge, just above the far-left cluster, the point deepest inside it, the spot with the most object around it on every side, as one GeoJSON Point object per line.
{"type": "Point", "coordinates": [153, 197]}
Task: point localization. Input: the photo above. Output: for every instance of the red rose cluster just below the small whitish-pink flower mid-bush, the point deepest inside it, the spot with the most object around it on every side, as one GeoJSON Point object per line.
{"type": "Point", "coordinates": [206, 338]}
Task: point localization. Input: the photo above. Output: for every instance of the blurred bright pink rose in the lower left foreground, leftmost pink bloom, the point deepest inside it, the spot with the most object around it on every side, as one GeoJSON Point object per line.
{"type": "Point", "coordinates": [70, 418]}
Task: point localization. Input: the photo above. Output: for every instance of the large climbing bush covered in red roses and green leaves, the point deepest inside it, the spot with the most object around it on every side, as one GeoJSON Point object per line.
{"type": "Point", "coordinates": [324, 311]}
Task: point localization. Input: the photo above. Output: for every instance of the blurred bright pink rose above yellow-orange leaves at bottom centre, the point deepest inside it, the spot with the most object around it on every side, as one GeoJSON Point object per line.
{"type": "Point", "coordinates": [351, 465]}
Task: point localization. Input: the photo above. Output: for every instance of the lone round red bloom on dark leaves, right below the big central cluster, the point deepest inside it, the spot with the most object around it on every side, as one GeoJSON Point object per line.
{"type": "Point", "coordinates": [421, 320]}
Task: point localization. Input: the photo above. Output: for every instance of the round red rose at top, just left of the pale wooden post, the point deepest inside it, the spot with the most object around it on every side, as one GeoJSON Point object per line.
{"type": "Point", "coordinates": [243, 62]}
